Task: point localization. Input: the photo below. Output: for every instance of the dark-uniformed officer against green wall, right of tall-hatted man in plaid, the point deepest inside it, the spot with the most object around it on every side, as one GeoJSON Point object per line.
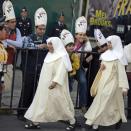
{"type": "Point", "coordinates": [59, 26]}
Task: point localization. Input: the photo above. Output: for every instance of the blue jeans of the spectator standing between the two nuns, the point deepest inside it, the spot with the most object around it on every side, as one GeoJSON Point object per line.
{"type": "Point", "coordinates": [82, 87]}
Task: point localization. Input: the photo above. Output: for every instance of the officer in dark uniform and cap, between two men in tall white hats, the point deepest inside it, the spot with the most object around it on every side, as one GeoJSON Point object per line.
{"type": "Point", "coordinates": [24, 23]}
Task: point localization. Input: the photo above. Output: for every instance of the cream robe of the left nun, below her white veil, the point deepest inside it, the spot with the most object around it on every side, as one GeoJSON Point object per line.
{"type": "Point", "coordinates": [52, 105]}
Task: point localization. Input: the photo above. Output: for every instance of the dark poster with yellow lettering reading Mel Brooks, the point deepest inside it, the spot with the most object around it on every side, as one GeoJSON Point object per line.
{"type": "Point", "coordinates": [101, 12]}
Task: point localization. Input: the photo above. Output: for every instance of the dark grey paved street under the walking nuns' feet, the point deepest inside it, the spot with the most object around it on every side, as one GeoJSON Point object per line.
{"type": "Point", "coordinates": [10, 123]}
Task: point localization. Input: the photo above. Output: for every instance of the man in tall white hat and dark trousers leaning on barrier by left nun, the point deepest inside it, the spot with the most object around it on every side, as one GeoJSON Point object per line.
{"type": "Point", "coordinates": [32, 61]}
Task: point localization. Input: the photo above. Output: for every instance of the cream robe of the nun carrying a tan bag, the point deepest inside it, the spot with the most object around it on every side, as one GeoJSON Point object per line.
{"type": "Point", "coordinates": [108, 105]}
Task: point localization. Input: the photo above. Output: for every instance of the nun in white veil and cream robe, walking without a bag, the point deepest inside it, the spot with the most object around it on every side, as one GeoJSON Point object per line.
{"type": "Point", "coordinates": [52, 101]}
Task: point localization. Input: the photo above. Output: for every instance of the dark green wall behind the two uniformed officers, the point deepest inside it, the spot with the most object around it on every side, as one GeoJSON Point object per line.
{"type": "Point", "coordinates": [53, 9]}
